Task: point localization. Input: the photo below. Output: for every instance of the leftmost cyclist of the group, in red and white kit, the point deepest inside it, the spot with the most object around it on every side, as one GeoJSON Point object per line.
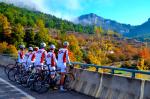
{"type": "Point", "coordinates": [21, 54]}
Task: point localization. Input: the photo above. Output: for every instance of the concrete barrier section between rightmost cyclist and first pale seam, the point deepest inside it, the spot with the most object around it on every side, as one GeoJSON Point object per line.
{"type": "Point", "coordinates": [86, 82]}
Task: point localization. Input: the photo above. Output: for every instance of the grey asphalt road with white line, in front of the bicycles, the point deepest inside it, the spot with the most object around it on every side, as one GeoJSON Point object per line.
{"type": "Point", "coordinates": [11, 90]}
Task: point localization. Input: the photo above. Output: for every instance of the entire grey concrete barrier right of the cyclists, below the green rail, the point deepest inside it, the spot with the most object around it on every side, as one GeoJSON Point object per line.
{"type": "Point", "coordinates": [107, 86]}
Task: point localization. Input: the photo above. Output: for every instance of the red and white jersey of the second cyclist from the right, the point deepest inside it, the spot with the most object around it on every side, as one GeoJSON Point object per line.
{"type": "Point", "coordinates": [51, 59]}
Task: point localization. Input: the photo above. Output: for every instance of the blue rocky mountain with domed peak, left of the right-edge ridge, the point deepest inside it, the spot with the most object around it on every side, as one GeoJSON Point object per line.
{"type": "Point", "coordinates": [106, 24]}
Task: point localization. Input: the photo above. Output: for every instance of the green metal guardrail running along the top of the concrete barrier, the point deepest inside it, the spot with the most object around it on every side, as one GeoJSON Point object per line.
{"type": "Point", "coordinates": [132, 71]}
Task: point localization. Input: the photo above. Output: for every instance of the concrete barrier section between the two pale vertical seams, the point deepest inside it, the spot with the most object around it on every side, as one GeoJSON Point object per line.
{"type": "Point", "coordinates": [115, 87]}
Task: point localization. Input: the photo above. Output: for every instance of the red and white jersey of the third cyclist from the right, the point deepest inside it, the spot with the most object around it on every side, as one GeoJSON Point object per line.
{"type": "Point", "coordinates": [40, 57]}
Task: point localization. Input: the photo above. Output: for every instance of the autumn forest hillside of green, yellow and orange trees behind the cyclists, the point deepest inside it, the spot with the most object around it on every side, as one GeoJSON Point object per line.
{"type": "Point", "coordinates": [88, 44]}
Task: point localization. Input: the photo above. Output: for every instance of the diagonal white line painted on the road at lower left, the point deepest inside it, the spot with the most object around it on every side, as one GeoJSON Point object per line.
{"type": "Point", "coordinates": [22, 92]}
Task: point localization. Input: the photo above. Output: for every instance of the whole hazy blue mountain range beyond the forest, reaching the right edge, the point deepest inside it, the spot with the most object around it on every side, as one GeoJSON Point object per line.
{"type": "Point", "coordinates": [125, 29]}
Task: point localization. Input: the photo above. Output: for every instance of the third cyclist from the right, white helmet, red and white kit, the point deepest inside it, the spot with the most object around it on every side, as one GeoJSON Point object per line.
{"type": "Point", "coordinates": [40, 56]}
